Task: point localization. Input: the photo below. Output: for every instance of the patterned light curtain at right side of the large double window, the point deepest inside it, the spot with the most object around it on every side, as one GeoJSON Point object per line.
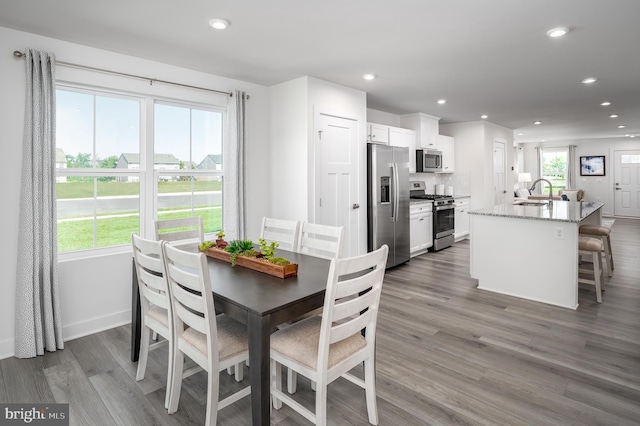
{"type": "Point", "coordinates": [234, 184]}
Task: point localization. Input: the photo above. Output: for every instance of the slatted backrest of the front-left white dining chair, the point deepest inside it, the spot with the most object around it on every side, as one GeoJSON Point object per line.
{"type": "Point", "coordinates": [192, 299]}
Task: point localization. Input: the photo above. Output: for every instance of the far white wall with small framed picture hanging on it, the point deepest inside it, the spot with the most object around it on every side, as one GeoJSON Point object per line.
{"type": "Point", "coordinates": [596, 188]}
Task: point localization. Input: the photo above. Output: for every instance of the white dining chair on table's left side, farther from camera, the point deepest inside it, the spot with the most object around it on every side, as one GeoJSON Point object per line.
{"type": "Point", "coordinates": [155, 306]}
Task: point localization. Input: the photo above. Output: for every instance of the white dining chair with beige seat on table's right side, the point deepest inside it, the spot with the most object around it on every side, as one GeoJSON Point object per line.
{"type": "Point", "coordinates": [323, 348]}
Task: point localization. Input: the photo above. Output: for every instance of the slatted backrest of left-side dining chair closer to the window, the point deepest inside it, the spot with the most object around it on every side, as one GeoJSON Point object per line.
{"type": "Point", "coordinates": [150, 270]}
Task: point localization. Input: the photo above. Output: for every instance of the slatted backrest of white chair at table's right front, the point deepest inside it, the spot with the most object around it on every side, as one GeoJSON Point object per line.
{"type": "Point", "coordinates": [351, 300]}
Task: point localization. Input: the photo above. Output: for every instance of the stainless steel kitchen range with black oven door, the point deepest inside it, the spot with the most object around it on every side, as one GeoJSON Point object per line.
{"type": "Point", "coordinates": [443, 215]}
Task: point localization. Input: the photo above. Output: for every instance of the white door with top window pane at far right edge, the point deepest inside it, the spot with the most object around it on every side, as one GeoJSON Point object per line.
{"type": "Point", "coordinates": [627, 183]}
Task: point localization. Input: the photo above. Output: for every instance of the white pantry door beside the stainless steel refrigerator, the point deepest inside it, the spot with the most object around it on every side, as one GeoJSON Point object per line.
{"type": "Point", "coordinates": [336, 204]}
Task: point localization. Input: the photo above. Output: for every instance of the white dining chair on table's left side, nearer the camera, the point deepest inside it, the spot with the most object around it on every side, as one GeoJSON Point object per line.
{"type": "Point", "coordinates": [213, 342]}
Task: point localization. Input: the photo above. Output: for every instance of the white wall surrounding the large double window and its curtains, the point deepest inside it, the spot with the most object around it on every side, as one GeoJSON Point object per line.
{"type": "Point", "coordinates": [95, 292]}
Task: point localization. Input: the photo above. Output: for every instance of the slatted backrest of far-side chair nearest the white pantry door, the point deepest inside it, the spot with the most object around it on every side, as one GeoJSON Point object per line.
{"type": "Point", "coordinates": [321, 240]}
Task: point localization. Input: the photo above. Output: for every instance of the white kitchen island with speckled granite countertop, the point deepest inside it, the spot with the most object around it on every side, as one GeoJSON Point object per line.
{"type": "Point", "coordinates": [530, 251]}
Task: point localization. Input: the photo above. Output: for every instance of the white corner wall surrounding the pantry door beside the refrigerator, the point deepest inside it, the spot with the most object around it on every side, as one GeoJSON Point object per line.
{"type": "Point", "coordinates": [294, 105]}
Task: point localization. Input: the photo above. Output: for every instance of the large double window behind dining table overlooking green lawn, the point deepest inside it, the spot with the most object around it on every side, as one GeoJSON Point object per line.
{"type": "Point", "coordinates": [114, 177]}
